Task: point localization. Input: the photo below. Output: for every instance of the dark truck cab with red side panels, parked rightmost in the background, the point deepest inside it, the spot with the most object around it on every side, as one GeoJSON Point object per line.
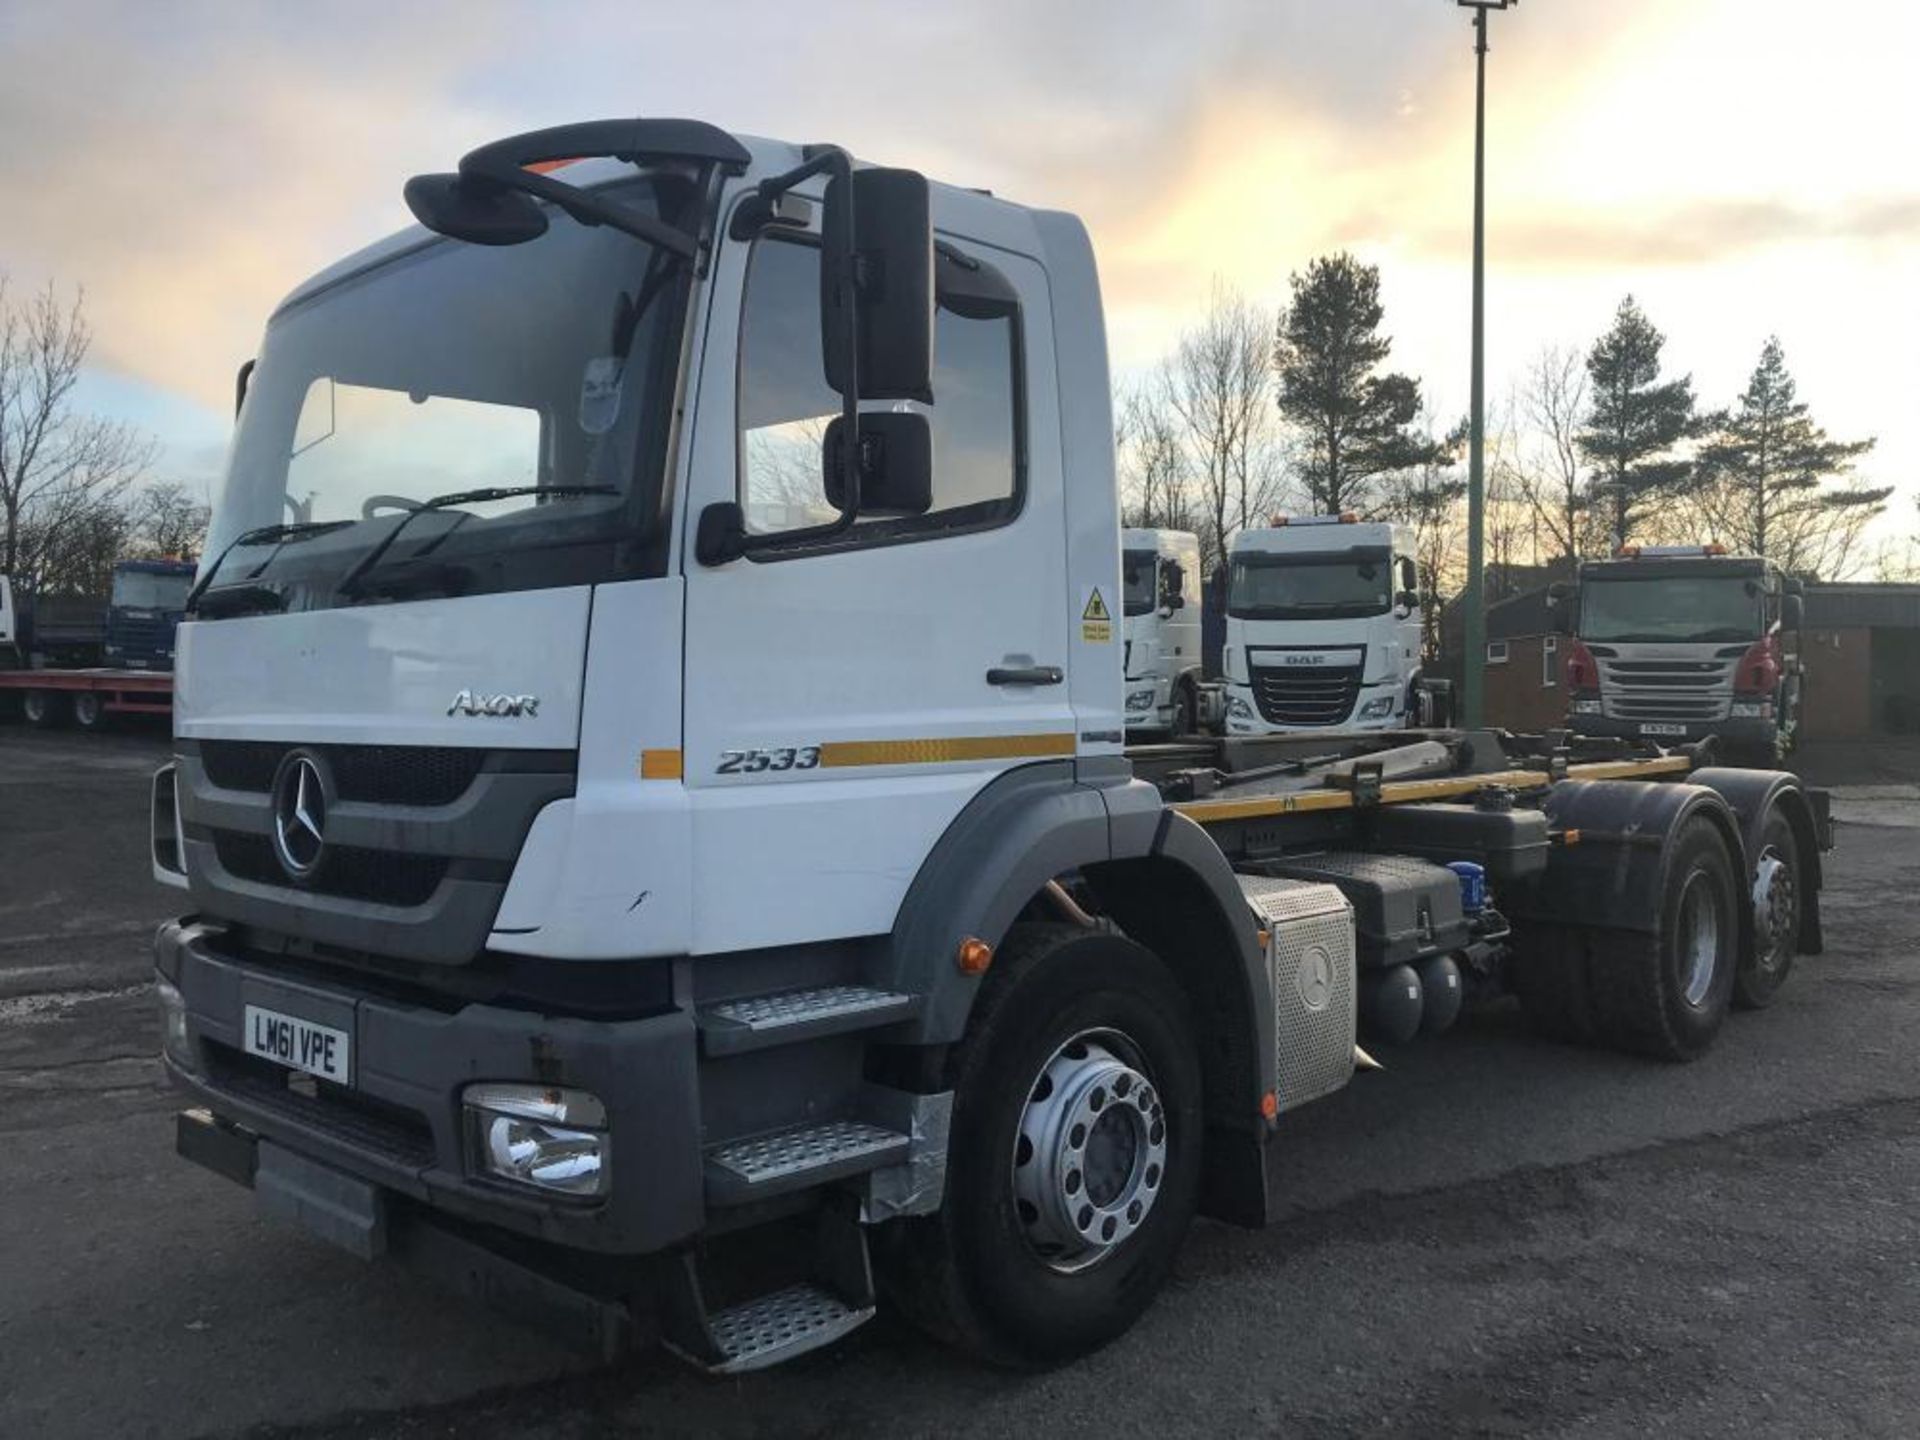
{"type": "Point", "coordinates": [1683, 642]}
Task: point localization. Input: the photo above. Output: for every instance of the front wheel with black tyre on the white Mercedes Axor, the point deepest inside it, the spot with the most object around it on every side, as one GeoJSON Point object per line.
{"type": "Point", "coordinates": [990, 1272]}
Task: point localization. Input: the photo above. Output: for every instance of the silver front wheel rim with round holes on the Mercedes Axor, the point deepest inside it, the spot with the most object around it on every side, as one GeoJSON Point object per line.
{"type": "Point", "coordinates": [1092, 1153]}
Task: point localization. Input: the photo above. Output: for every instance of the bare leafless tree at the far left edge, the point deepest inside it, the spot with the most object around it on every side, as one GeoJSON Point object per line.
{"type": "Point", "coordinates": [57, 466]}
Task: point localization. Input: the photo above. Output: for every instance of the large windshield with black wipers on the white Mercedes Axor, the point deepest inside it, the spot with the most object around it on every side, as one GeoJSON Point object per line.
{"type": "Point", "coordinates": [460, 368]}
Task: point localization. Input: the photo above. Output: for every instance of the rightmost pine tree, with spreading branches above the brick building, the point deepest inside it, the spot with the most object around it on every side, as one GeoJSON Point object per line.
{"type": "Point", "coordinates": [1767, 475]}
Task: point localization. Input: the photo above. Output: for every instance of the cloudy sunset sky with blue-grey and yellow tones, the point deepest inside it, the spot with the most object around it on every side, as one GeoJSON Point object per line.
{"type": "Point", "coordinates": [1744, 168]}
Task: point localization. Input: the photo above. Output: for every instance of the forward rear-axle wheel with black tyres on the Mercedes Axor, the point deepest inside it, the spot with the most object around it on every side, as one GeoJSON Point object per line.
{"type": "Point", "coordinates": [1664, 996]}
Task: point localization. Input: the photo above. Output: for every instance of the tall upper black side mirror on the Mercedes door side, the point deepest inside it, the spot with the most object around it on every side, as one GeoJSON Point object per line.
{"type": "Point", "coordinates": [884, 224]}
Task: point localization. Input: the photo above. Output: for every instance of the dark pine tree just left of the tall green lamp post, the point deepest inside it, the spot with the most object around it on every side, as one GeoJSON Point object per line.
{"type": "Point", "coordinates": [1355, 425]}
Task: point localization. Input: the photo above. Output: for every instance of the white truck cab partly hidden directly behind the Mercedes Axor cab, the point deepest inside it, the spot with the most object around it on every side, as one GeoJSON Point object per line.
{"type": "Point", "coordinates": [1161, 631]}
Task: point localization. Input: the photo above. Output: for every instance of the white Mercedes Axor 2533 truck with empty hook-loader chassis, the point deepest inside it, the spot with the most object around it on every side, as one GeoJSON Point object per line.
{"type": "Point", "coordinates": [652, 800]}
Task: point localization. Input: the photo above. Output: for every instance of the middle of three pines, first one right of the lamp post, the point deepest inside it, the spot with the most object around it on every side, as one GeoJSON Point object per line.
{"type": "Point", "coordinates": [1635, 420]}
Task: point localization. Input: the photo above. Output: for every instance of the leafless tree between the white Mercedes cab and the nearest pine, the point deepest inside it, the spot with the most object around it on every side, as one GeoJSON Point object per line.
{"type": "Point", "coordinates": [1220, 387]}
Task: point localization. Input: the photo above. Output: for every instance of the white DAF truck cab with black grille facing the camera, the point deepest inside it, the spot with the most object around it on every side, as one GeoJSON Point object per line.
{"type": "Point", "coordinates": [1324, 627]}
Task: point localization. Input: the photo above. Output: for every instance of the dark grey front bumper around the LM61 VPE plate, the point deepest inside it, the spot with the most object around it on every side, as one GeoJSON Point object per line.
{"type": "Point", "coordinates": [400, 1128]}
